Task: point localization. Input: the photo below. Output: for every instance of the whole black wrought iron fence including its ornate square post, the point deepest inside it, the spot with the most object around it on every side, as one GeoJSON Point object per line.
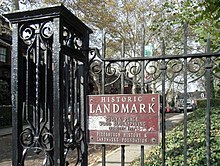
{"type": "Point", "coordinates": [50, 75]}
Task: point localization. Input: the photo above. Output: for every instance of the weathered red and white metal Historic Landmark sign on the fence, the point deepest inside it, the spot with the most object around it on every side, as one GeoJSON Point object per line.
{"type": "Point", "coordinates": [124, 119]}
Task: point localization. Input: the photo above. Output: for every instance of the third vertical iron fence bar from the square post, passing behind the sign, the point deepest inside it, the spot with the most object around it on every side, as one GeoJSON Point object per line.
{"type": "Point", "coordinates": [142, 80]}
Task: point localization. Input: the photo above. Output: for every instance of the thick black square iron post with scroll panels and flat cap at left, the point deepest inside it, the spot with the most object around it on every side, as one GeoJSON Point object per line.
{"type": "Point", "coordinates": [45, 41]}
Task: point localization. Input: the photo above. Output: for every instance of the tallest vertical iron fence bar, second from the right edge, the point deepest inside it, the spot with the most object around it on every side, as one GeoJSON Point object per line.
{"type": "Point", "coordinates": [185, 93]}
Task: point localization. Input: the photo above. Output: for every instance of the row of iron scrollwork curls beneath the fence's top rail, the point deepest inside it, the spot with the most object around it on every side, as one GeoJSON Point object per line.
{"type": "Point", "coordinates": [152, 69]}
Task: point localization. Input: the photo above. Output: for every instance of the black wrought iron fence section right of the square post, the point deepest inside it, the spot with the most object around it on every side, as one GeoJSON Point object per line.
{"type": "Point", "coordinates": [122, 75]}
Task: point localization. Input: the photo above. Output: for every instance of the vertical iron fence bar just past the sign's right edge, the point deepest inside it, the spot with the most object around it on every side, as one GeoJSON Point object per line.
{"type": "Point", "coordinates": [163, 68]}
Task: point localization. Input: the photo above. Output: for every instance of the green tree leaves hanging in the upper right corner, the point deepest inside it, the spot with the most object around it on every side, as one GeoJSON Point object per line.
{"type": "Point", "coordinates": [202, 18]}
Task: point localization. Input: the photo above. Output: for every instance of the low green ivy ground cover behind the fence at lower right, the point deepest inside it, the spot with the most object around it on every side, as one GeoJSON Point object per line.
{"type": "Point", "coordinates": [196, 142]}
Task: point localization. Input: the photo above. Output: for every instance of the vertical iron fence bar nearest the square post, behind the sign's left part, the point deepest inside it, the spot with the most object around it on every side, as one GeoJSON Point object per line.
{"type": "Point", "coordinates": [103, 88]}
